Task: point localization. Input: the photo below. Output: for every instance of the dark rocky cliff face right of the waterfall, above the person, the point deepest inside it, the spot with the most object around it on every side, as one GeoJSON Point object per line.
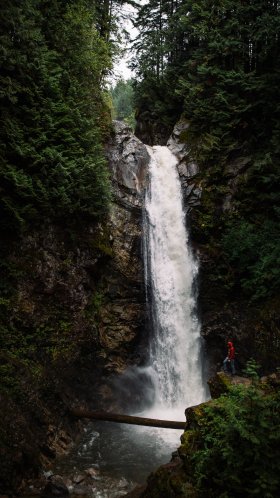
{"type": "Point", "coordinates": [225, 312]}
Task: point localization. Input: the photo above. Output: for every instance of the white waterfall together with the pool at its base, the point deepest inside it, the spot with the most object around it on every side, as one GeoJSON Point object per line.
{"type": "Point", "coordinates": [174, 375]}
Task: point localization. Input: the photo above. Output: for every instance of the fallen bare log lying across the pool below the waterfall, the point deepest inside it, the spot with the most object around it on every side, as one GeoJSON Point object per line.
{"type": "Point", "coordinates": [127, 419]}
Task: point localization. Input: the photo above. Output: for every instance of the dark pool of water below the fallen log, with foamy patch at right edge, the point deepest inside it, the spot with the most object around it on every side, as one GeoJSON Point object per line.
{"type": "Point", "coordinates": [124, 454]}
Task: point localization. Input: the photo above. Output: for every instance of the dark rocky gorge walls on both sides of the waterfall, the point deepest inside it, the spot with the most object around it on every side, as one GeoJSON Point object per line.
{"type": "Point", "coordinates": [74, 314]}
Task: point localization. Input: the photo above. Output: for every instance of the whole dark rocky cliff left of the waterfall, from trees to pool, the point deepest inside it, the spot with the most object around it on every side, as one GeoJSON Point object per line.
{"type": "Point", "coordinates": [73, 318]}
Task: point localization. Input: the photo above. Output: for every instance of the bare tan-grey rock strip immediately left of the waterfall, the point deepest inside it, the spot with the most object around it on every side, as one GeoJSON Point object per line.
{"type": "Point", "coordinates": [122, 314]}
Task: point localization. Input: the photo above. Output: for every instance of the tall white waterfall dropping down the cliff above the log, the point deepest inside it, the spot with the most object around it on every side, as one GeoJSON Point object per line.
{"type": "Point", "coordinates": [171, 269]}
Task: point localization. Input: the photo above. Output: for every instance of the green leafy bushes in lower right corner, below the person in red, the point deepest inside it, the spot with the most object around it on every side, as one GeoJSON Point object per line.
{"type": "Point", "coordinates": [237, 445]}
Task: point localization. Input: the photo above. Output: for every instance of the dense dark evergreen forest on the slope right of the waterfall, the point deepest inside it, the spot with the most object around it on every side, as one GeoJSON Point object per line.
{"type": "Point", "coordinates": [217, 65]}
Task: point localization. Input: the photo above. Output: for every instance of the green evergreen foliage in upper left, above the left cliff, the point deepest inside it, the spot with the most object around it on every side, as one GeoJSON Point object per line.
{"type": "Point", "coordinates": [53, 115]}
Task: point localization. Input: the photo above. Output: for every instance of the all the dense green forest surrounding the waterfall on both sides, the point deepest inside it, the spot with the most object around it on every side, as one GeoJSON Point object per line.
{"type": "Point", "coordinates": [213, 65]}
